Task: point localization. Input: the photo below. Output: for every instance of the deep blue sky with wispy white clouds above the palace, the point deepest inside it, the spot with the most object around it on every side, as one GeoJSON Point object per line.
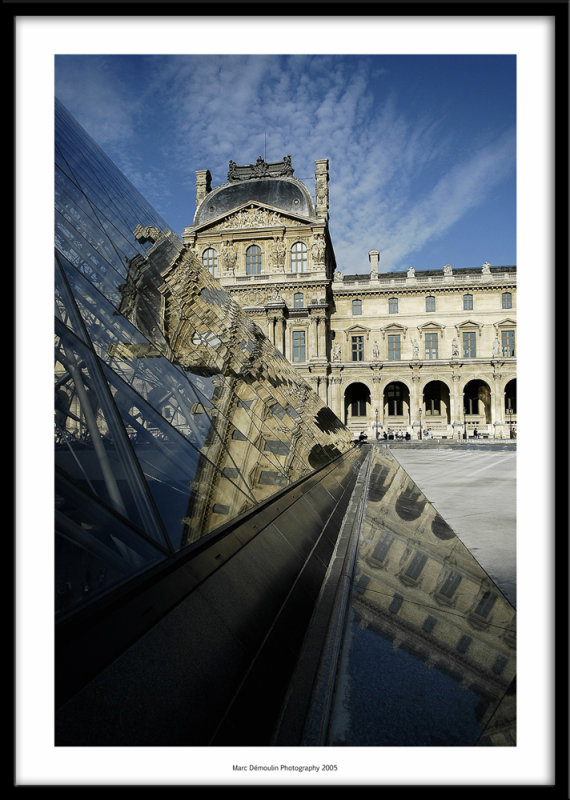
{"type": "Point", "coordinates": [421, 147]}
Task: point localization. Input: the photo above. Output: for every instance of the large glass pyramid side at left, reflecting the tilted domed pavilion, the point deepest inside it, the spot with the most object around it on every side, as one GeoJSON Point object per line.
{"type": "Point", "coordinates": [173, 412]}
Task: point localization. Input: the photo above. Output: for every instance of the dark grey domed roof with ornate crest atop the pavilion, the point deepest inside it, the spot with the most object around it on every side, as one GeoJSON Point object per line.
{"type": "Point", "coordinates": [276, 190]}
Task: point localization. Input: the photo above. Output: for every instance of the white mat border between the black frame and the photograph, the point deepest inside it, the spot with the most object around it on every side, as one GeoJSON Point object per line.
{"type": "Point", "coordinates": [38, 39]}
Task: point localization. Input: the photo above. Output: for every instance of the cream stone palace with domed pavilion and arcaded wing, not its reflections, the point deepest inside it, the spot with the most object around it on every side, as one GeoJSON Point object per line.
{"type": "Point", "coordinates": [424, 352]}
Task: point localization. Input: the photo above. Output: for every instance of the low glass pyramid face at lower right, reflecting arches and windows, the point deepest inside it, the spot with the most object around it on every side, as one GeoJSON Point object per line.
{"type": "Point", "coordinates": [429, 652]}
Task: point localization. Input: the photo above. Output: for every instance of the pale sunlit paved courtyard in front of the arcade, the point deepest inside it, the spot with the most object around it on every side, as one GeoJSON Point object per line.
{"type": "Point", "coordinates": [474, 490]}
